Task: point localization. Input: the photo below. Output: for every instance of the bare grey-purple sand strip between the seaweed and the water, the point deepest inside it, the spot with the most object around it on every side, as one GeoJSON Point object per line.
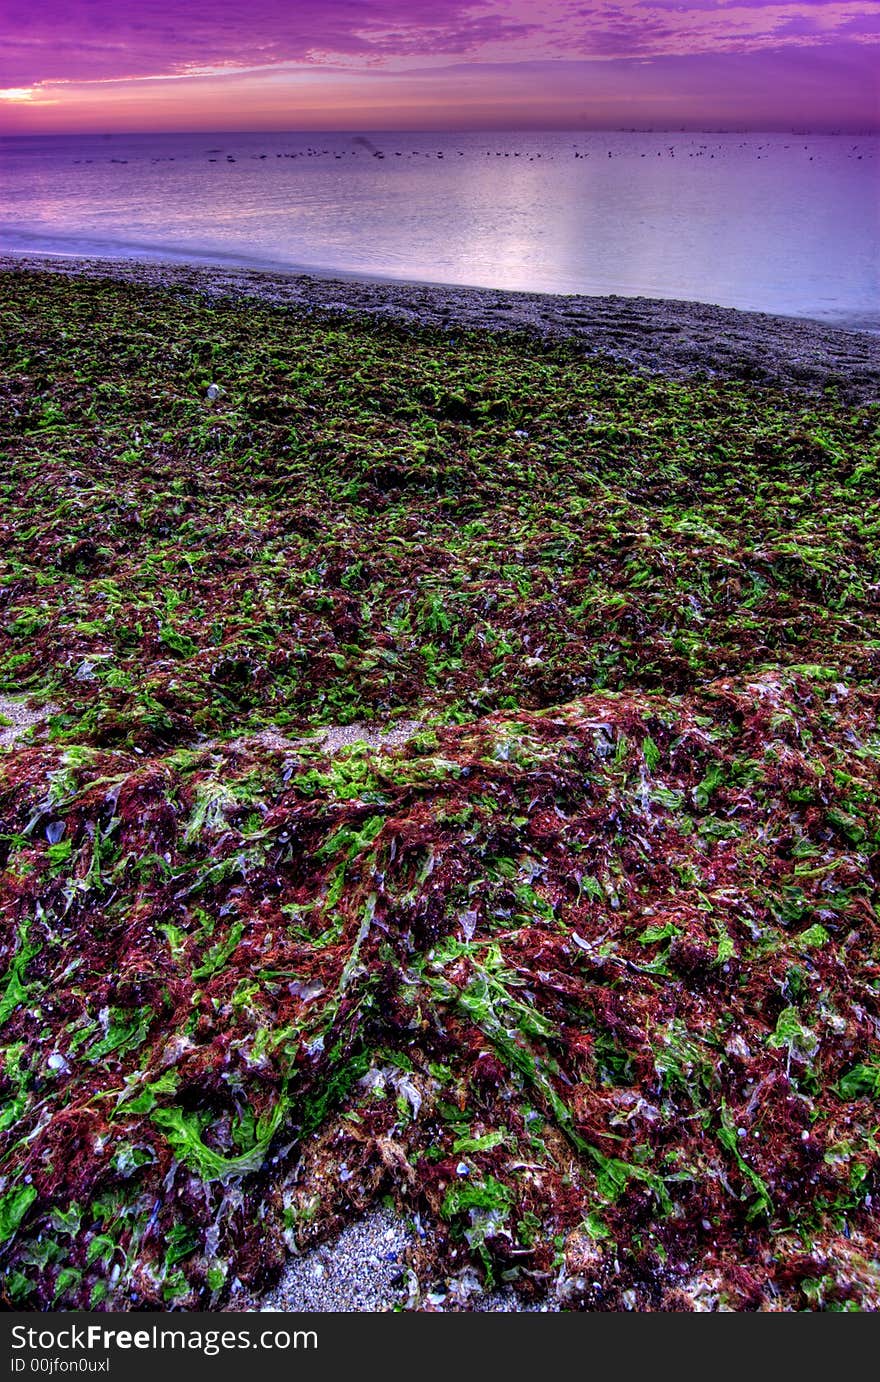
{"type": "Point", "coordinates": [678, 339]}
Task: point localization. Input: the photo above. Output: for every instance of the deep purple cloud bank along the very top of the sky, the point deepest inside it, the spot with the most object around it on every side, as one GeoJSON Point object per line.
{"type": "Point", "coordinates": [86, 41]}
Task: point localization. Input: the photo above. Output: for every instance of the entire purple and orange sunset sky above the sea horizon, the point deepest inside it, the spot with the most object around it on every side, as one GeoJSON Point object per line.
{"type": "Point", "coordinates": [104, 66]}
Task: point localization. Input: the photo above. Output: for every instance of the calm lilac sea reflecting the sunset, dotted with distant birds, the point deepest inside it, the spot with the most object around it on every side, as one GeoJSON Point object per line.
{"type": "Point", "coordinates": [778, 223]}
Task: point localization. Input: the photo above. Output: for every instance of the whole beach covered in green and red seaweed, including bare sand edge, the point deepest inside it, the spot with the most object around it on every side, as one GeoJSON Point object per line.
{"type": "Point", "coordinates": [440, 798]}
